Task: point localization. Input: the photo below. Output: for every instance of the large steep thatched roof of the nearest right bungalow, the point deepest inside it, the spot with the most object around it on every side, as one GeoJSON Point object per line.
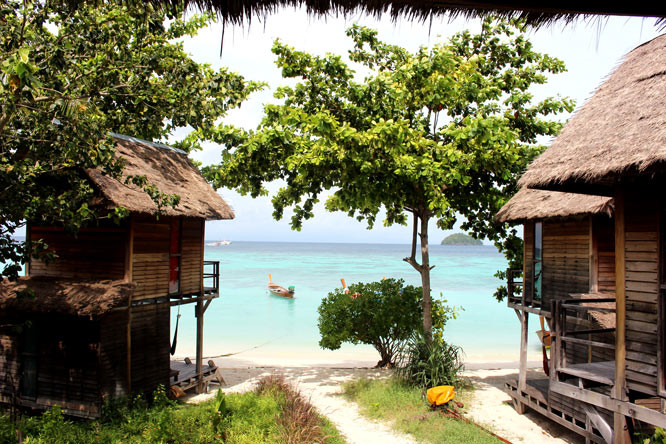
{"type": "Point", "coordinates": [619, 135]}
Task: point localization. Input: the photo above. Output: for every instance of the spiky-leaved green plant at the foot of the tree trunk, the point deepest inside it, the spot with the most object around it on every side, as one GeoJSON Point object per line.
{"type": "Point", "coordinates": [428, 364]}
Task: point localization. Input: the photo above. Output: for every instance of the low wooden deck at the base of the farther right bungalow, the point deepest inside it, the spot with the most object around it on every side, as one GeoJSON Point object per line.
{"type": "Point", "coordinates": [536, 397]}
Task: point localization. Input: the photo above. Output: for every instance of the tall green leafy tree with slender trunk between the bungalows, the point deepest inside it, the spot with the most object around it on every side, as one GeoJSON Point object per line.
{"type": "Point", "coordinates": [433, 134]}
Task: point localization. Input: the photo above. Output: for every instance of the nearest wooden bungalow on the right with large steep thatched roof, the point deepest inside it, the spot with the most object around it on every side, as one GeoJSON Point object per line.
{"type": "Point", "coordinates": [615, 146]}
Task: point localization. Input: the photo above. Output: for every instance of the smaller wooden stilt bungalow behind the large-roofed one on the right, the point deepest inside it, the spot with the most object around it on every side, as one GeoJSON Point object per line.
{"type": "Point", "coordinates": [569, 253]}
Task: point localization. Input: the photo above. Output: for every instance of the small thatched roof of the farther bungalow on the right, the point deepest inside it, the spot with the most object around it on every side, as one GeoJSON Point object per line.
{"type": "Point", "coordinates": [529, 204]}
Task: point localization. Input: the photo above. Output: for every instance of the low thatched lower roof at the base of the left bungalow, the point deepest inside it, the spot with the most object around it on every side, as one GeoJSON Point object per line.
{"type": "Point", "coordinates": [42, 294]}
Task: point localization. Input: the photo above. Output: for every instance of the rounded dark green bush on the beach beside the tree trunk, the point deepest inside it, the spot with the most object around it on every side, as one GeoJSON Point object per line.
{"type": "Point", "coordinates": [382, 314]}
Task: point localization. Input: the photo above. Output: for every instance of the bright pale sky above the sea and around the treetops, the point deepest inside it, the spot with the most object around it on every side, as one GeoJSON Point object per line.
{"type": "Point", "coordinates": [590, 50]}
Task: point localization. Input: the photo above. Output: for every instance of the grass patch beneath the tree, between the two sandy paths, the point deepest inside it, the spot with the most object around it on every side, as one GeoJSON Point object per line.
{"type": "Point", "coordinates": [405, 408]}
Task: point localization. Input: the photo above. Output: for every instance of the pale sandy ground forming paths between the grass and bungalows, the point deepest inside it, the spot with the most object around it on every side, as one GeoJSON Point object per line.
{"type": "Point", "coordinates": [490, 407]}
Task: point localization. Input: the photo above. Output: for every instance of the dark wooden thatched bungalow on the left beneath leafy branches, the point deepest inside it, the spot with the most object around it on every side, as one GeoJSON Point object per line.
{"type": "Point", "coordinates": [95, 322]}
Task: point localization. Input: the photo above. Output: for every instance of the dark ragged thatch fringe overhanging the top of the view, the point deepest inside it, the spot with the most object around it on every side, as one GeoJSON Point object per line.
{"type": "Point", "coordinates": [535, 13]}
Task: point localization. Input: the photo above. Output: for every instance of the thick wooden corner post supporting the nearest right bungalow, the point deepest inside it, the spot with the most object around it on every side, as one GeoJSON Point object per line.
{"type": "Point", "coordinates": [619, 392]}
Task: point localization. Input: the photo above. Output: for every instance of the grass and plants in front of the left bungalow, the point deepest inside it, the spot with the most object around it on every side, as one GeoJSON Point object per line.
{"type": "Point", "coordinates": [258, 417]}
